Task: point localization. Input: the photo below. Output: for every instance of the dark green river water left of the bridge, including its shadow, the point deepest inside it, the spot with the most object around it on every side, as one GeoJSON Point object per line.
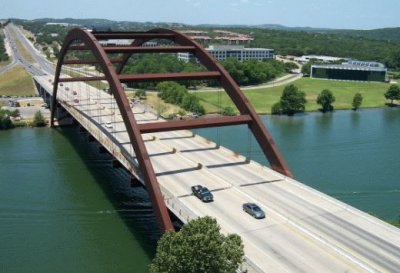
{"type": "Point", "coordinates": [63, 208]}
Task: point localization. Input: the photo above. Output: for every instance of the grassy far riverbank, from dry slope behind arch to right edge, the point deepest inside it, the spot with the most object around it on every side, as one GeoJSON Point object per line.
{"type": "Point", "coordinates": [263, 99]}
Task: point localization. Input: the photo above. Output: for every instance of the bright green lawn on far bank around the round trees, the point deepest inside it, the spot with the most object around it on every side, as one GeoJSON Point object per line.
{"type": "Point", "coordinates": [263, 99]}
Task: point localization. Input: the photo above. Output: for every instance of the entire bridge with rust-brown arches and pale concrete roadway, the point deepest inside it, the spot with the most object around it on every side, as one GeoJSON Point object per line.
{"type": "Point", "coordinates": [304, 230]}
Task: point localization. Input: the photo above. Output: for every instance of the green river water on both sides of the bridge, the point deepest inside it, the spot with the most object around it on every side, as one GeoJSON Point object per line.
{"type": "Point", "coordinates": [63, 208]}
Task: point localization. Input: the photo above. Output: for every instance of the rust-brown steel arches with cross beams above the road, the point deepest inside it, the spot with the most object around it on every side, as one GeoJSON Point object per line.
{"type": "Point", "coordinates": [82, 40]}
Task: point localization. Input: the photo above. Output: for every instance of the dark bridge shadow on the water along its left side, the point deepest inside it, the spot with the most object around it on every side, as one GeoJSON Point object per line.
{"type": "Point", "coordinates": [132, 204]}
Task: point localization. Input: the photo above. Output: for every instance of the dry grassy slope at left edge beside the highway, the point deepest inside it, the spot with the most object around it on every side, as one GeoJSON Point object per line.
{"type": "Point", "coordinates": [16, 82]}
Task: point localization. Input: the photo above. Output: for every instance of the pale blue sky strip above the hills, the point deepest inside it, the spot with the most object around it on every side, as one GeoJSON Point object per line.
{"type": "Point", "coordinates": [345, 14]}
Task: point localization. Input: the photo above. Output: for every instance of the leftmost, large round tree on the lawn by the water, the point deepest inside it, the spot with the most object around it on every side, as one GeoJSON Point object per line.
{"type": "Point", "coordinates": [292, 100]}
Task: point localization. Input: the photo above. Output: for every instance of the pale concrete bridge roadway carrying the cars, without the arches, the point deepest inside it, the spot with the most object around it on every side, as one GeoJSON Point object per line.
{"type": "Point", "coordinates": [304, 230]}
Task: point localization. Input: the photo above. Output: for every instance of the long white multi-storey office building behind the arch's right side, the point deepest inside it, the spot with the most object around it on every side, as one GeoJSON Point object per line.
{"type": "Point", "coordinates": [222, 52]}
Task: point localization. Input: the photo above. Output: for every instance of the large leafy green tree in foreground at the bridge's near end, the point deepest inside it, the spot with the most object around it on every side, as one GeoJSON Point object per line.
{"type": "Point", "coordinates": [198, 247]}
